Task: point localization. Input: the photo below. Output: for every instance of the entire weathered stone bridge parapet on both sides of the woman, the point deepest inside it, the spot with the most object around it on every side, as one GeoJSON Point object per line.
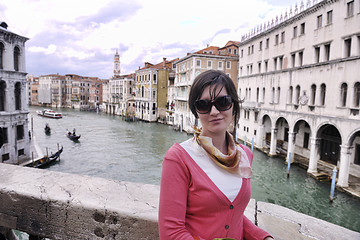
{"type": "Point", "coordinates": [67, 206]}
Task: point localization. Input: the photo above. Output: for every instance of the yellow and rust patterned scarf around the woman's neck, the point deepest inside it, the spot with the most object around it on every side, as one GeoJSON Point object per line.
{"type": "Point", "coordinates": [234, 162]}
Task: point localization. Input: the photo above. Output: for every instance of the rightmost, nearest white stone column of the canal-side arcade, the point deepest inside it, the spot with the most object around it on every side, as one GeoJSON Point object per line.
{"type": "Point", "coordinates": [344, 168]}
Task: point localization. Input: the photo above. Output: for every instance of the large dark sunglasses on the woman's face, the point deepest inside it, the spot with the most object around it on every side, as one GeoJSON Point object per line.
{"type": "Point", "coordinates": [204, 106]}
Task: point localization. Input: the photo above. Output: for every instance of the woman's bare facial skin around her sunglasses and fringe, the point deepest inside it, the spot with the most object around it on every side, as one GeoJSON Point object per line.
{"type": "Point", "coordinates": [215, 122]}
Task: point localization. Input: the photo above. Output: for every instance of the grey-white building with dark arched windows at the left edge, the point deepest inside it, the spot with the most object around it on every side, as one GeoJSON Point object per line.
{"type": "Point", "coordinates": [14, 130]}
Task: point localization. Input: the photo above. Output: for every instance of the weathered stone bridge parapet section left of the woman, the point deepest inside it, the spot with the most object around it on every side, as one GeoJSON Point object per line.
{"type": "Point", "coordinates": [66, 206]}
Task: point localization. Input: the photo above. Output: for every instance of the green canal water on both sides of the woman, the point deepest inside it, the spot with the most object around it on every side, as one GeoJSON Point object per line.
{"type": "Point", "coordinates": [133, 151]}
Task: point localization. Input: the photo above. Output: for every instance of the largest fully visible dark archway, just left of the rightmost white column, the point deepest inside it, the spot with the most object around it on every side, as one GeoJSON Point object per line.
{"type": "Point", "coordinates": [330, 142]}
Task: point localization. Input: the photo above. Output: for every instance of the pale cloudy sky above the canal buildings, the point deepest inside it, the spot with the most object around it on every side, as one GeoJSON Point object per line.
{"type": "Point", "coordinates": [81, 36]}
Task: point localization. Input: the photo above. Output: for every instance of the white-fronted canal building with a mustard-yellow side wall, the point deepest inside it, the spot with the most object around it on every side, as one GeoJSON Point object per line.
{"type": "Point", "coordinates": [151, 90]}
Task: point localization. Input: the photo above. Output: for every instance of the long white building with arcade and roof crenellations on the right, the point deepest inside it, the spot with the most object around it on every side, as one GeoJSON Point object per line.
{"type": "Point", "coordinates": [299, 77]}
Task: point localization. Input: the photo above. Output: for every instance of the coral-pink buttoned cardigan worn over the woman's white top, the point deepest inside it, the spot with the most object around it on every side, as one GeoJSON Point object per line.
{"type": "Point", "coordinates": [191, 205]}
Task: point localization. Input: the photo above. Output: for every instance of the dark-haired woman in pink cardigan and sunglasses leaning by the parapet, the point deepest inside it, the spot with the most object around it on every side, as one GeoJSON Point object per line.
{"type": "Point", "coordinates": [205, 181]}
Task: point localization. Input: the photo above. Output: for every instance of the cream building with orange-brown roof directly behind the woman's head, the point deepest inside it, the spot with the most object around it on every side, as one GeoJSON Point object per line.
{"type": "Point", "coordinates": [187, 68]}
